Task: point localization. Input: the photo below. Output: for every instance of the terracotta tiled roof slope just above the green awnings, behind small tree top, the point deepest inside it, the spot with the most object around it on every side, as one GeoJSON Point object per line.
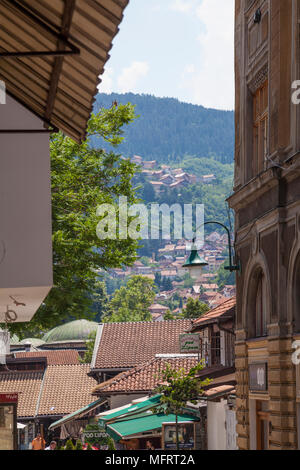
{"type": "Point", "coordinates": [145, 377]}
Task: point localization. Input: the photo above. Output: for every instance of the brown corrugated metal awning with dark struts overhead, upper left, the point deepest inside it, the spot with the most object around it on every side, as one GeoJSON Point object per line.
{"type": "Point", "coordinates": [52, 53]}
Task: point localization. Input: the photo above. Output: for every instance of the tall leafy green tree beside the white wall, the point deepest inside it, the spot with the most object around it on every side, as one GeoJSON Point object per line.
{"type": "Point", "coordinates": [83, 178]}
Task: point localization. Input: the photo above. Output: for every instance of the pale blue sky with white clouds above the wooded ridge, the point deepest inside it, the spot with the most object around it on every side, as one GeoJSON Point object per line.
{"type": "Point", "coordinates": [175, 48]}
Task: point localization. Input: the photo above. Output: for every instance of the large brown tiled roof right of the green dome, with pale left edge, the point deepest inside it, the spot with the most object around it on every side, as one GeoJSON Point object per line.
{"type": "Point", "coordinates": [125, 345]}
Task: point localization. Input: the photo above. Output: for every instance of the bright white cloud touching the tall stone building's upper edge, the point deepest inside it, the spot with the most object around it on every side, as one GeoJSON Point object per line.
{"type": "Point", "coordinates": [210, 80]}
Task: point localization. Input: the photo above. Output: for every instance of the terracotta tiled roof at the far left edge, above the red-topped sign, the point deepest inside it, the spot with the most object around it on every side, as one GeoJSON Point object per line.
{"type": "Point", "coordinates": [27, 385]}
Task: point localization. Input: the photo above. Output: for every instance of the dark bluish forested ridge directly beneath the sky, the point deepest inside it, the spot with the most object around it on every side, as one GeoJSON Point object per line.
{"type": "Point", "coordinates": [168, 129]}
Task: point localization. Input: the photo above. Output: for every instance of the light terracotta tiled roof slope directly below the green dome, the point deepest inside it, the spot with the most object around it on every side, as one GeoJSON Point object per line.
{"type": "Point", "coordinates": [66, 388]}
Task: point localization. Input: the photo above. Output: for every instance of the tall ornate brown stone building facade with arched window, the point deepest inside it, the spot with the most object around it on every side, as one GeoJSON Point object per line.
{"type": "Point", "coordinates": [266, 201]}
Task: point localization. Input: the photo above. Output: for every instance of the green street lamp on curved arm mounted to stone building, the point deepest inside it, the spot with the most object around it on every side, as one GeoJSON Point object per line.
{"type": "Point", "coordinates": [195, 263]}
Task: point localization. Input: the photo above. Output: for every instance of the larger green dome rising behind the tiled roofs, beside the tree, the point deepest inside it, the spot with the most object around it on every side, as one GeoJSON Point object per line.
{"type": "Point", "coordinates": [78, 330]}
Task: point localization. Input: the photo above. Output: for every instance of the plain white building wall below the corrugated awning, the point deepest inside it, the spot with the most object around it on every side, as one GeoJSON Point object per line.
{"type": "Point", "coordinates": [25, 212]}
